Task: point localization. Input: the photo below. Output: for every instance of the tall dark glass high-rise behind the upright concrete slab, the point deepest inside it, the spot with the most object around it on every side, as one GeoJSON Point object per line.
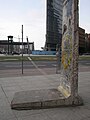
{"type": "Point", "coordinates": [53, 24]}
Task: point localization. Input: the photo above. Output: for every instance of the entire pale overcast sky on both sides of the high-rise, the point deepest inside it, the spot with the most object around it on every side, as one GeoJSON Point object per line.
{"type": "Point", "coordinates": [31, 14]}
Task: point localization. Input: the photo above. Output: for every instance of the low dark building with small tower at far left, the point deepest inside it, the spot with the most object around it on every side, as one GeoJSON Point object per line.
{"type": "Point", "coordinates": [9, 46]}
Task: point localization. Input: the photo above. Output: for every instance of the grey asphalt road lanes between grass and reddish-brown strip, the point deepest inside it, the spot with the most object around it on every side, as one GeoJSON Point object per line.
{"type": "Point", "coordinates": [39, 64]}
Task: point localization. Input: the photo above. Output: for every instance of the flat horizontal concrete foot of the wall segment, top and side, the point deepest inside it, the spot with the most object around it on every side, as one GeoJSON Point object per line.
{"type": "Point", "coordinates": [38, 99]}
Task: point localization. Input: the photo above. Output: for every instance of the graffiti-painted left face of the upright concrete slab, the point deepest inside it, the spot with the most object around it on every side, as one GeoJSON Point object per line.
{"type": "Point", "coordinates": [66, 67]}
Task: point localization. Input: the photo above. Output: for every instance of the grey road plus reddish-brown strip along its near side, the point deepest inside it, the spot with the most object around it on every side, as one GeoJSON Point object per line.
{"type": "Point", "coordinates": [8, 69]}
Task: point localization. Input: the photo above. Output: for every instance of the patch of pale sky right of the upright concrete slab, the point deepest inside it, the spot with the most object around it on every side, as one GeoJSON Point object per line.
{"type": "Point", "coordinates": [84, 15]}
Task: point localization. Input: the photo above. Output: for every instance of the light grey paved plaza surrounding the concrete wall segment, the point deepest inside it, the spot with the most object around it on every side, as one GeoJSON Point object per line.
{"type": "Point", "coordinates": [9, 86]}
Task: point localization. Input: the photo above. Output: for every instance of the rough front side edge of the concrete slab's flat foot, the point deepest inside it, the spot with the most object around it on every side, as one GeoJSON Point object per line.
{"type": "Point", "coordinates": [66, 102]}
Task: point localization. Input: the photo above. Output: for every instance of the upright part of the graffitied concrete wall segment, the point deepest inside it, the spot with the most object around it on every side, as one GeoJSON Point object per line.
{"type": "Point", "coordinates": [70, 42]}
